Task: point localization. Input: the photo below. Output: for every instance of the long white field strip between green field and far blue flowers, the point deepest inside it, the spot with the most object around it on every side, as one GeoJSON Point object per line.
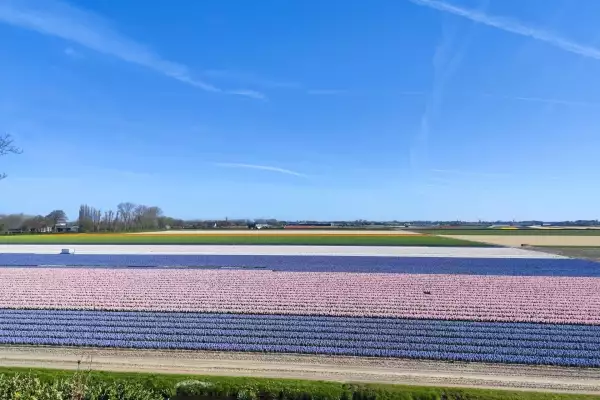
{"type": "Point", "coordinates": [466, 252]}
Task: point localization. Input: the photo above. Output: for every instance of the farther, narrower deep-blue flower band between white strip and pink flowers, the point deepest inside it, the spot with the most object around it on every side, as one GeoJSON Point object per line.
{"type": "Point", "coordinates": [366, 264]}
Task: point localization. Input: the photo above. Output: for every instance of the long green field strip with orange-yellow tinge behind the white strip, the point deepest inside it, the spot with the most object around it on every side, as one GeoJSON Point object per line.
{"type": "Point", "coordinates": [222, 239]}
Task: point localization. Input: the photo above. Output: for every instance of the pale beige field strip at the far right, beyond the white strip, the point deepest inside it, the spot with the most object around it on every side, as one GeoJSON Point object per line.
{"type": "Point", "coordinates": [532, 240]}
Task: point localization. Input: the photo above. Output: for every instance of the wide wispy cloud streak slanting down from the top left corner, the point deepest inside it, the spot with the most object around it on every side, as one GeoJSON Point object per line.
{"type": "Point", "coordinates": [54, 18]}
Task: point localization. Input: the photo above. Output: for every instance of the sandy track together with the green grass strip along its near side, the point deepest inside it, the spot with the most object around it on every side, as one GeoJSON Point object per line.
{"type": "Point", "coordinates": [333, 375]}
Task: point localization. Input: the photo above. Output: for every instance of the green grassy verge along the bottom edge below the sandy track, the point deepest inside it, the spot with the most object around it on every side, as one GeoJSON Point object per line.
{"type": "Point", "coordinates": [192, 387]}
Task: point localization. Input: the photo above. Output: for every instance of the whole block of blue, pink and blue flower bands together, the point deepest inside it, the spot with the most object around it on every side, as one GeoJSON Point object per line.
{"type": "Point", "coordinates": [531, 311]}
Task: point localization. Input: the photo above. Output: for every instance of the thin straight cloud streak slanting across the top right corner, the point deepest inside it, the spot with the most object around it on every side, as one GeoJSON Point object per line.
{"type": "Point", "coordinates": [515, 27]}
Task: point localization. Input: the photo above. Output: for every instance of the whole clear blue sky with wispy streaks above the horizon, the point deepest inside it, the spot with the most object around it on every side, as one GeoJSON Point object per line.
{"type": "Point", "coordinates": [384, 109]}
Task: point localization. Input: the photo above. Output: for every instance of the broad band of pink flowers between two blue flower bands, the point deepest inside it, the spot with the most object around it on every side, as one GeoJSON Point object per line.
{"type": "Point", "coordinates": [481, 298]}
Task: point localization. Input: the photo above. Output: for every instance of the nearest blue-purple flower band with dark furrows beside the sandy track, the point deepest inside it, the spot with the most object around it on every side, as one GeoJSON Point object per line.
{"type": "Point", "coordinates": [444, 340]}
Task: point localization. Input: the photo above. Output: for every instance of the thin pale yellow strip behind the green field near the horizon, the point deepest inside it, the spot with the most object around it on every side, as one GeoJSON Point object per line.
{"type": "Point", "coordinates": [278, 232]}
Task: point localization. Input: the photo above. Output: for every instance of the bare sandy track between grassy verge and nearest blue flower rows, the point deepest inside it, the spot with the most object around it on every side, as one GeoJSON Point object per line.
{"type": "Point", "coordinates": [343, 369]}
